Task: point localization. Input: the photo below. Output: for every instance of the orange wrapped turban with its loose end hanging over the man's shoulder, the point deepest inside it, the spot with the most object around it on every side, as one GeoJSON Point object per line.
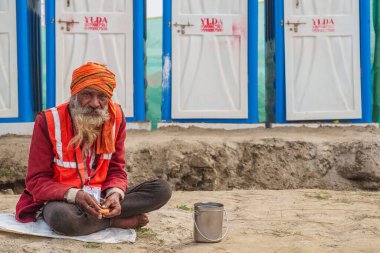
{"type": "Point", "coordinates": [101, 79]}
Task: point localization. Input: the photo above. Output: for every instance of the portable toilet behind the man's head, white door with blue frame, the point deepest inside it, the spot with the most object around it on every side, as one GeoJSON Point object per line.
{"type": "Point", "coordinates": [109, 32]}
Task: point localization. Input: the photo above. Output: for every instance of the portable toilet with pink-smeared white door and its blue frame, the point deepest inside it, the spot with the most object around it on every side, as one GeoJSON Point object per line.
{"type": "Point", "coordinates": [210, 54]}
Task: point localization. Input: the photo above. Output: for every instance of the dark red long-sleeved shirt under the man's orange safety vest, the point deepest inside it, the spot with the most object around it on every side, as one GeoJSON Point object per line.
{"type": "Point", "coordinates": [39, 179]}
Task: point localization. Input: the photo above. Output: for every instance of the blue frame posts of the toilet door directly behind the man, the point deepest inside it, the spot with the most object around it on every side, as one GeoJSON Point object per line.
{"type": "Point", "coordinates": [139, 37]}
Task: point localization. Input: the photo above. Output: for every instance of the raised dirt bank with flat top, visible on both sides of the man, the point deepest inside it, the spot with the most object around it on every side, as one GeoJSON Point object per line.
{"type": "Point", "coordinates": [202, 159]}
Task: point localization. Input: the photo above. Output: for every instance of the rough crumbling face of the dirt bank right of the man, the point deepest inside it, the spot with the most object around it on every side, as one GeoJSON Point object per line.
{"type": "Point", "coordinates": [268, 163]}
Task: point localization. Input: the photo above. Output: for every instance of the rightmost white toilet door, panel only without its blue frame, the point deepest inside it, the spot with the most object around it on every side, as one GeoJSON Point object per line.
{"type": "Point", "coordinates": [322, 59]}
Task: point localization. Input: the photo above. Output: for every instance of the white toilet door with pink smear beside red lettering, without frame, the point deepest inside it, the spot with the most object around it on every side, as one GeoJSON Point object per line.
{"type": "Point", "coordinates": [209, 59]}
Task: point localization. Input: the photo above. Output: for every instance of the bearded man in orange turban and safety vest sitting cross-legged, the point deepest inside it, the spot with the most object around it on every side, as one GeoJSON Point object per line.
{"type": "Point", "coordinates": [76, 180]}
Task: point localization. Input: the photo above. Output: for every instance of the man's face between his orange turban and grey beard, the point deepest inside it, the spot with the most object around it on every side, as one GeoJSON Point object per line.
{"type": "Point", "coordinates": [91, 98]}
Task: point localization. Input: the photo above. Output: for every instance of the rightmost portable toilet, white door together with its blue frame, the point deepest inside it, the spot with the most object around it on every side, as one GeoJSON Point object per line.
{"type": "Point", "coordinates": [318, 61]}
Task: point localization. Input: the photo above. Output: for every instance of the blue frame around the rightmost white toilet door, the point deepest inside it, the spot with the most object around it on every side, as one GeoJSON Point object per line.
{"type": "Point", "coordinates": [275, 33]}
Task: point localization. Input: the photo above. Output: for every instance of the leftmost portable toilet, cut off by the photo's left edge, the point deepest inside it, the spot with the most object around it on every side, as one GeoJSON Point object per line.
{"type": "Point", "coordinates": [20, 69]}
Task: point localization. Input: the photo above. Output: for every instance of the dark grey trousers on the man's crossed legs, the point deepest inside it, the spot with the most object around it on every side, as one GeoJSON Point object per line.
{"type": "Point", "coordinates": [69, 219]}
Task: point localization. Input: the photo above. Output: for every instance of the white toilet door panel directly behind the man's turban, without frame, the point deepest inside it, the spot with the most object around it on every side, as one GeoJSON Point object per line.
{"type": "Point", "coordinates": [99, 31]}
